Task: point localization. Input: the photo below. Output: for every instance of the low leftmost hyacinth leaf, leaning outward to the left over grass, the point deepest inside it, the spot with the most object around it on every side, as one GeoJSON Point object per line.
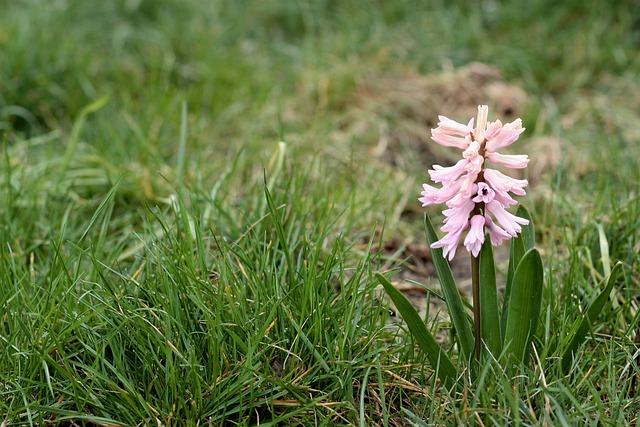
{"type": "Point", "coordinates": [436, 355]}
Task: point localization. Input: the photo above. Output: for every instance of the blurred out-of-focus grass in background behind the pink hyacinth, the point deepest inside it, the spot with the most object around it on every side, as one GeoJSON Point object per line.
{"type": "Point", "coordinates": [355, 84]}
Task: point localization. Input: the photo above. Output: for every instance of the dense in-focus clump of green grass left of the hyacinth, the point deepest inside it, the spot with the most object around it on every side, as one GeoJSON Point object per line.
{"type": "Point", "coordinates": [201, 322]}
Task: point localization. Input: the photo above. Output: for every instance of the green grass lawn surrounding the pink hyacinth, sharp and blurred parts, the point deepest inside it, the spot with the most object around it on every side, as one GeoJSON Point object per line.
{"type": "Point", "coordinates": [166, 260]}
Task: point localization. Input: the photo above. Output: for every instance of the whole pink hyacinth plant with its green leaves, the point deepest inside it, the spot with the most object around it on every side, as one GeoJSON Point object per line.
{"type": "Point", "coordinates": [477, 197]}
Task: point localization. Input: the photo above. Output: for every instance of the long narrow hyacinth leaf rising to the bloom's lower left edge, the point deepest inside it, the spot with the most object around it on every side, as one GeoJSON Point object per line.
{"type": "Point", "coordinates": [451, 294]}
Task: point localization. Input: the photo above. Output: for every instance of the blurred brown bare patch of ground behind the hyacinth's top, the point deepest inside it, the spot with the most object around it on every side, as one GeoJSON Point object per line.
{"type": "Point", "coordinates": [403, 109]}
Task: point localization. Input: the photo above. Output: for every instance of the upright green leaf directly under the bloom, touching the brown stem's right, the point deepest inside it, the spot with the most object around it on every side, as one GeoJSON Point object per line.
{"type": "Point", "coordinates": [489, 312]}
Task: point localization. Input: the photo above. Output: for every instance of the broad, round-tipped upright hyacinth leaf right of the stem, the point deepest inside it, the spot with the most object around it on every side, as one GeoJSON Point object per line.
{"type": "Point", "coordinates": [524, 307]}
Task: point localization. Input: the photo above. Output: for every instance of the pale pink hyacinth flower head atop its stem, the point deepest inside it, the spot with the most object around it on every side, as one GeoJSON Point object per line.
{"type": "Point", "coordinates": [462, 190]}
